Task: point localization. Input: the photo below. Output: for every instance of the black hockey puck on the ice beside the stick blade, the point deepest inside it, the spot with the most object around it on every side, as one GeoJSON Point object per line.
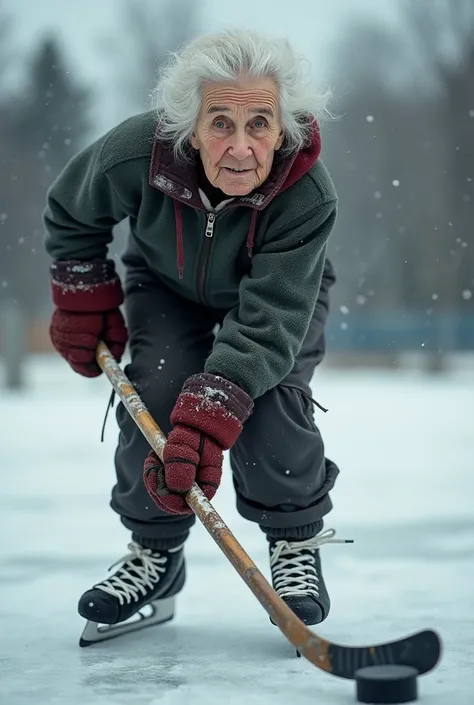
{"type": "Point", "coordinates": [386, 684]}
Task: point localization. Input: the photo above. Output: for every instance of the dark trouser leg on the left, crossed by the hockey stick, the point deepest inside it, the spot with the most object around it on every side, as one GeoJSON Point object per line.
{"type": "Point", "coordinates": [170, 338]}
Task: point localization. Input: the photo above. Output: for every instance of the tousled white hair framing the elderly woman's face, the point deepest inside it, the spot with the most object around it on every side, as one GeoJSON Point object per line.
{"type": "Point", "coordinates": [225, 57]}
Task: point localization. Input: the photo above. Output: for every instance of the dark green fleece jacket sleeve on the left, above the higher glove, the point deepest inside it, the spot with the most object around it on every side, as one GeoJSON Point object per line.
{"type": "Point", "coordinates": [82, 208]}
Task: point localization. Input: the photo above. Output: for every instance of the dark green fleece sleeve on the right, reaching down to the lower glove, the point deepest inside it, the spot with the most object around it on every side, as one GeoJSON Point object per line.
{"type": "Point", "coordinates": [261, 336]}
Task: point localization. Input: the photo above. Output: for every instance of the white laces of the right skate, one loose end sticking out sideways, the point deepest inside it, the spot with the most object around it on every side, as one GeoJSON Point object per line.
{"type": "Point", "coordinates": [293, 568]}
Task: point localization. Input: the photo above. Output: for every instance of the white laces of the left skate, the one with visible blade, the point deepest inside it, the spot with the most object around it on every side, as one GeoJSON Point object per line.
{"type": "Point", "coordinates": [133, 579]}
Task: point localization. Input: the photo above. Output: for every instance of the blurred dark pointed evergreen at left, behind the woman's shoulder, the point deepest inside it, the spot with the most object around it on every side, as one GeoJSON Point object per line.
{"type": "Point", "coordinates": [44, 126]}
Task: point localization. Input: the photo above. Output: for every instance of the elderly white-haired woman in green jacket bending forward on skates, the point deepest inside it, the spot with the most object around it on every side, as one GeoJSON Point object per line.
{"type": "Point", "coordinates": [226, 298]}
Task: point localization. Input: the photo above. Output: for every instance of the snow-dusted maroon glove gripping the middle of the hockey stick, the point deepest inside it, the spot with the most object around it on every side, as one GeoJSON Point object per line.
{"type": "Point", "coordinates": [208, 418]}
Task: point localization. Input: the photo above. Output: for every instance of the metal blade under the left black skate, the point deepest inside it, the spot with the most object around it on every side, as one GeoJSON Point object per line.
{"type": "Point", "coordinates": [156, 612]}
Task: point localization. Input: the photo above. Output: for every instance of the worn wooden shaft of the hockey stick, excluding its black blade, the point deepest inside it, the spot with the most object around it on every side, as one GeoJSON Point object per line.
{"type": "Point", "coordinates": [314, 648]}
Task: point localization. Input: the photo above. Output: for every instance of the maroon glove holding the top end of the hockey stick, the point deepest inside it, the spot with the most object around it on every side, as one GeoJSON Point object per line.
{"type": "Point", "coordinates": [87, 296]}
